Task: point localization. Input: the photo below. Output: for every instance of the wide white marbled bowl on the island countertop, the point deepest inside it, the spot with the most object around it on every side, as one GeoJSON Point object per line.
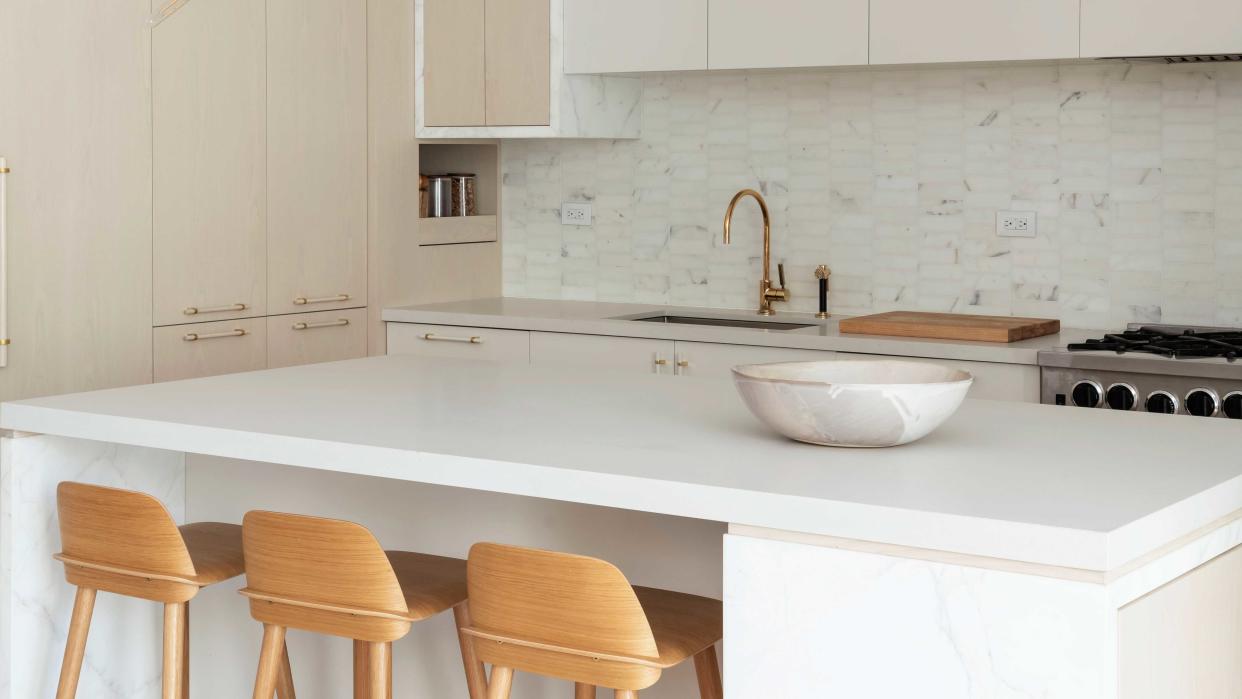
{"type": "Point", "coordinates": [853, 404]}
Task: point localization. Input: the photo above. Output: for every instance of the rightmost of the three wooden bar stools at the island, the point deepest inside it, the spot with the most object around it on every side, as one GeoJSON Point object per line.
{"type": "Point", "coordinates": [579, 619]}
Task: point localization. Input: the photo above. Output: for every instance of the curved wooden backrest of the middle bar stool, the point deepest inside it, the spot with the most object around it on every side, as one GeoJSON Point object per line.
{"type": "Point", "coordinates": [322, 575]}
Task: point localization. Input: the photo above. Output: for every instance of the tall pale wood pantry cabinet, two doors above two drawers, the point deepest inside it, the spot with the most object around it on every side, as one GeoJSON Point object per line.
{"type": "Point", "coordinates": [260, 186]}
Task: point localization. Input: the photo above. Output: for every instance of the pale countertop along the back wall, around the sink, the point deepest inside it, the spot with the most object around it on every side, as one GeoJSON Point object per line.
{"type": "Point", "coordinates": [594, 318]}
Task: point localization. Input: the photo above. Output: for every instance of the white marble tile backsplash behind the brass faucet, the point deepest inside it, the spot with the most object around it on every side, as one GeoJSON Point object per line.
{"type": "Point", "coordinates": [894, 179]}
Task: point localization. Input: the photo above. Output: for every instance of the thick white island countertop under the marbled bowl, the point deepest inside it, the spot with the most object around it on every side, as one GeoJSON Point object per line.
{"type": "Point", "coordinates": [1064, 487]}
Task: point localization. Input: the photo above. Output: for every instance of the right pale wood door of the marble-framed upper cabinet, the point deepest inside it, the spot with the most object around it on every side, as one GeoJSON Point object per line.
{"type": "Point", "coordinates": [519, 63]}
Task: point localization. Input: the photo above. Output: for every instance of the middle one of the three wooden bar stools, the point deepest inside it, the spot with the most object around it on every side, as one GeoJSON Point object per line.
{"type": "Point", "coordinates": [332, 577]}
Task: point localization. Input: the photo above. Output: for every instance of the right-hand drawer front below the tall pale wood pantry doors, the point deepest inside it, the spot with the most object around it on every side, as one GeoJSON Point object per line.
{"type": "Point", "coordinates": [309, 338]}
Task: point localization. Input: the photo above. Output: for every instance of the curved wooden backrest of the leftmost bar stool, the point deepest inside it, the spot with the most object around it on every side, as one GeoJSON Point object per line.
{"type": "Point", "coordinates": [124, 542]}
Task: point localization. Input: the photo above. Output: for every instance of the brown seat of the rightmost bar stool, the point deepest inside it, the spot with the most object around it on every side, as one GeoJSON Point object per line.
{"type": "Point", "coordinates": [684, 625]}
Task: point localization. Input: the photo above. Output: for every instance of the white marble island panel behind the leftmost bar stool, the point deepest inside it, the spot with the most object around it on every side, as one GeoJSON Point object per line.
{"type": "Point", "coordinates": [124, 652]}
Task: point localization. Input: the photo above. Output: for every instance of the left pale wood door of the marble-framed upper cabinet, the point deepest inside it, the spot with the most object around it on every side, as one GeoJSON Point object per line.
{"type": "Point", "coordinates": [453, 64]}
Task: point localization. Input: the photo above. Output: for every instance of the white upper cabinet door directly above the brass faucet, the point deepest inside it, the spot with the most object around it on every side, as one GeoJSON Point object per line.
{"type": "Point", "coordinates": [784, 34]}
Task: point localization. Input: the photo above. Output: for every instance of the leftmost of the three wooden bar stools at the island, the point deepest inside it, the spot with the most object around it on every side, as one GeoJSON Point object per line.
{"type": "Point", "coordinates": [126, 543]}
